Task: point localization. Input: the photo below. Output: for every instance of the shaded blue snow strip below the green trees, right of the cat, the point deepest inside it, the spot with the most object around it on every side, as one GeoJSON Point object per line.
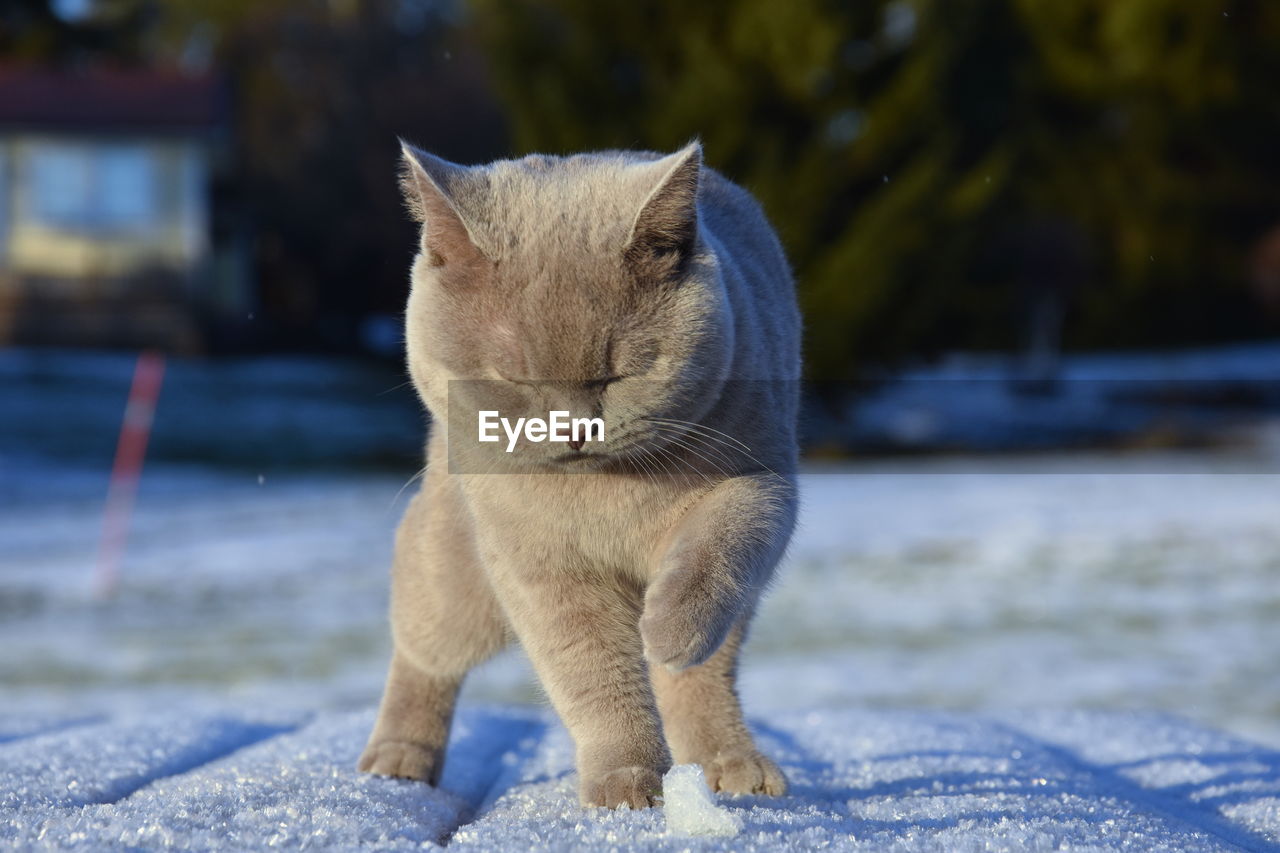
{"type": "Point", "coordinates": [993, 403]}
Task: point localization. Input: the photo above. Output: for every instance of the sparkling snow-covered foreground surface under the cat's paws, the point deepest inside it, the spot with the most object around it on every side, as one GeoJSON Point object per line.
{"type": "Point", "coordinates": [862, 781]}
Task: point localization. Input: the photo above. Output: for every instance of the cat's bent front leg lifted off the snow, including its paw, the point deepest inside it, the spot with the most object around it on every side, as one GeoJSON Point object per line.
{"type": "Point", "coordinates": [711, 569]}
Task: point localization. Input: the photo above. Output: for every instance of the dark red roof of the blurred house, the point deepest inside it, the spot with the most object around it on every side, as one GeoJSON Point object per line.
{"type": "Point", "coordinates": [109, 99]}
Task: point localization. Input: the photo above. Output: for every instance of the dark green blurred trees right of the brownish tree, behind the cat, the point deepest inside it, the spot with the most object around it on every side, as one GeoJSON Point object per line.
{"type": "Point", "coordinates": [944, 174]}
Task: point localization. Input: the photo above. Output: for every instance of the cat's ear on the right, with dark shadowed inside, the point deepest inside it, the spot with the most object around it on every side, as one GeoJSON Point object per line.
{"type": "Point", "coordinates": [666, 230]}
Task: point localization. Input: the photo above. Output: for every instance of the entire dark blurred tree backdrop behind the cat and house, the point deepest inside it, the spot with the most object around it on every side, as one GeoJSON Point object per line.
{"type": "Point", "coordinates": [945, 174]}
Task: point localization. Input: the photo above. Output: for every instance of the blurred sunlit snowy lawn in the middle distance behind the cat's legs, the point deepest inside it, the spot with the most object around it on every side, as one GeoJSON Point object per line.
{"type": "Point", "coordinates": [927, 585]}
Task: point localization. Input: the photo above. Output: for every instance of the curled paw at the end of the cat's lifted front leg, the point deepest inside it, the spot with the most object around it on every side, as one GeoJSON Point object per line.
{"type": "Point", "coordinates": [683, 623]}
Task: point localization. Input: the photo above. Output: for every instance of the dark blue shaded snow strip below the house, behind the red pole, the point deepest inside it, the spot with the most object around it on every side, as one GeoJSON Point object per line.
{"type": "Point", "coordinates": [255, 413]}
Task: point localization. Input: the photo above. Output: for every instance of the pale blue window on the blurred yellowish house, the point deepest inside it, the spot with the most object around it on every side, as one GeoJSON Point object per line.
{"type": "Point", "coordinates": [93, 188]}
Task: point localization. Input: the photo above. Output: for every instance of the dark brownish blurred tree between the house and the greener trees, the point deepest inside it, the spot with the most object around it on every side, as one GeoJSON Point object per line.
{"type": "Point", "coordinates": [323, 90]}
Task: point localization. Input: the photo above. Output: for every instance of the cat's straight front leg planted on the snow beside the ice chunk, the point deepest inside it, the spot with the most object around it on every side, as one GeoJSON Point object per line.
{"type": "Point", "coordinates": [579, 628]}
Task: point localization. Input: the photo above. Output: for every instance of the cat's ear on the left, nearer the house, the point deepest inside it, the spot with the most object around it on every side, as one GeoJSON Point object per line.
{"type": "Point", "coordinates": [431, 186]}
